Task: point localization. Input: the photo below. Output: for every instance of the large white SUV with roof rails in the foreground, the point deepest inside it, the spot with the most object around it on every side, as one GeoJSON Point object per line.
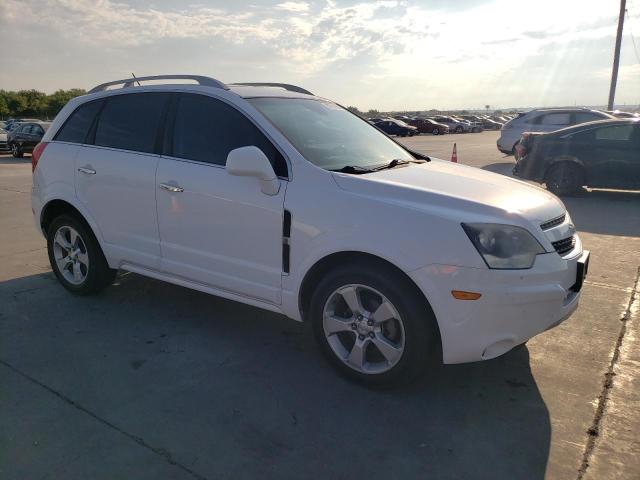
{"type": "Point", "coordinates": [268, 195]}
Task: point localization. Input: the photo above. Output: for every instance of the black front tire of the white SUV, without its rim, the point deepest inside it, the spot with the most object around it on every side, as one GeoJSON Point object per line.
{"type": "Point", "coordinates": [421, 336]}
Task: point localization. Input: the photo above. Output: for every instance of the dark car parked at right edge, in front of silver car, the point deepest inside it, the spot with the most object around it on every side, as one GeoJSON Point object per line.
{"type": "Point", "coordinates": [603, 154]}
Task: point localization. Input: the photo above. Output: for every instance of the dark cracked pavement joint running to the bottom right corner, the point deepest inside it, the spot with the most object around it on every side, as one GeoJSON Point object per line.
{"type": "Point", "coordinates": [607, 384]}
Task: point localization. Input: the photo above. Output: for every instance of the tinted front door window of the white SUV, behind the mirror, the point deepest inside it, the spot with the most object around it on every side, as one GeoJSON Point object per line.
{"type": "Point", "coordinates": [206, 130]}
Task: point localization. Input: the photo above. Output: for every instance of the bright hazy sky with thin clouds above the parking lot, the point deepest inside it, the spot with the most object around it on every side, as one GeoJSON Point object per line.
{"type": "Point", "coordinates": [385, 54]}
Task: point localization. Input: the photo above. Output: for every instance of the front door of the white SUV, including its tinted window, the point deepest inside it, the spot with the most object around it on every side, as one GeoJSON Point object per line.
{"type": "Point", "coordinates": [216, 229]}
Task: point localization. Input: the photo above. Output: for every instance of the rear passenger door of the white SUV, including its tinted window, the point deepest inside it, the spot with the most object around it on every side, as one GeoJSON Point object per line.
{"type": "Point", "coordinates": [115, 175]}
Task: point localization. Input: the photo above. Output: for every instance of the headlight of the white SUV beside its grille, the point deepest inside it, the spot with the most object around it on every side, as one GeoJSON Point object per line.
{"type": "Point", "coordinates": [503, 246]}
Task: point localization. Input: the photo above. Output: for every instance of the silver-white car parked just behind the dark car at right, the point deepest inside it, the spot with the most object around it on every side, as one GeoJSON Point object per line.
{"type": "Point", "coordinates": [544, 120]}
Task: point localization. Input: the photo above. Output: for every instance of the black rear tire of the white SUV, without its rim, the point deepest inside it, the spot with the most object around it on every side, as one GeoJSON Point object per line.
{"type": "Point", "coordinates": [98, 274]}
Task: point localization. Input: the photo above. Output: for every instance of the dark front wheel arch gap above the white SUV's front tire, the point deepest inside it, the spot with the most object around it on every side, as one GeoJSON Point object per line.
{"type": "Point", "coordinates": [337, 259]}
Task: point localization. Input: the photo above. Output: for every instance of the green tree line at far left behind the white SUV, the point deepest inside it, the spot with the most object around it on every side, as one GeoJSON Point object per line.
{"type": "Point", "coordinates": [32, 103]}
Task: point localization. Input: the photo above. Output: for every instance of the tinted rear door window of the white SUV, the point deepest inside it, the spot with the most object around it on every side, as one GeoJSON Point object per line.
{"type": "Point", "coordinates": [131, 122]}
